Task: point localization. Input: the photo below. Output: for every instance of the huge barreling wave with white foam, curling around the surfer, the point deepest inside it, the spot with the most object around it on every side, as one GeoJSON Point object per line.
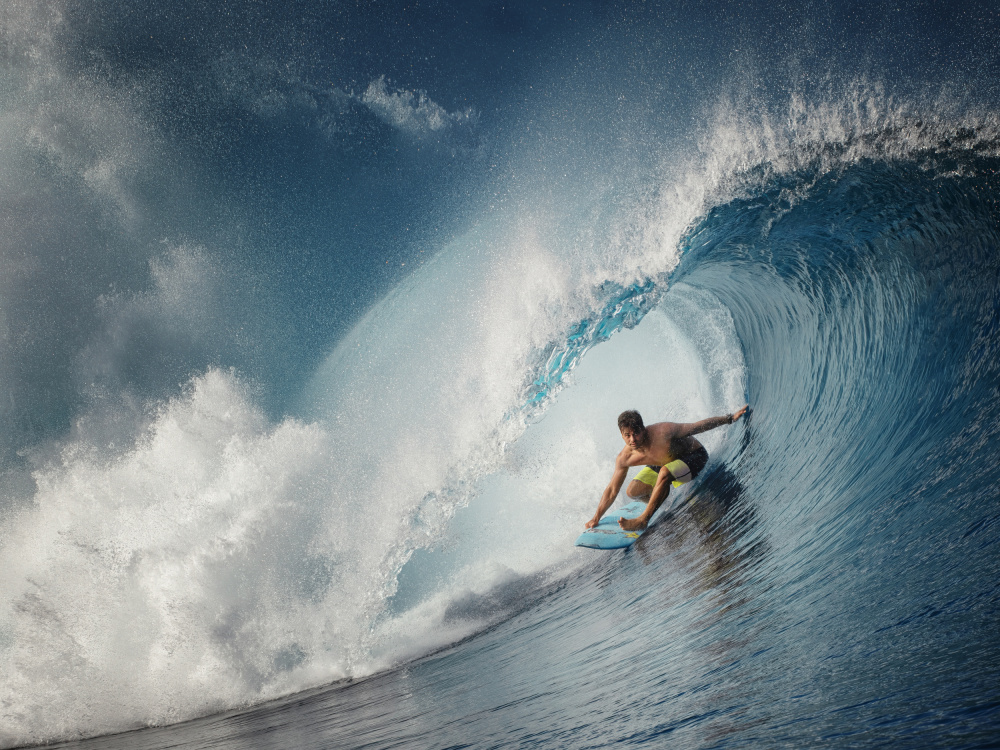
{"type": "Point", "coordinates": [839, 270]}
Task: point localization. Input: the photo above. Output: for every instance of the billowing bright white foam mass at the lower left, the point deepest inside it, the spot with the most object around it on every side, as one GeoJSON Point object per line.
{"type": "Point", "coordinates": [153, 584]}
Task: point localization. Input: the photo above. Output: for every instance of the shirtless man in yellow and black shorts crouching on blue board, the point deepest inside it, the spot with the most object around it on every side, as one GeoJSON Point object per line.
{"type": "Point", "coordinates": [670, 453]}
